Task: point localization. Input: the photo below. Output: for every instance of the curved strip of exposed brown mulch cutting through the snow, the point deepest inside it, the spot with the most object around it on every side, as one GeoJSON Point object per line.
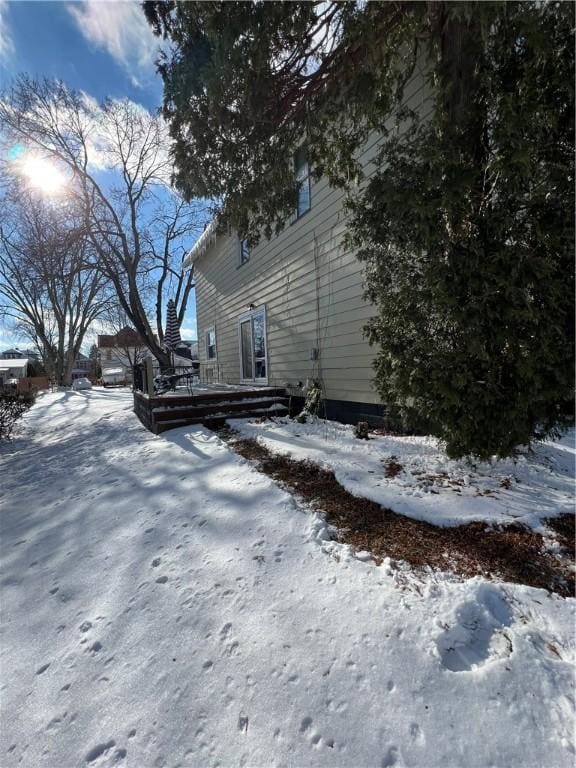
{"type": "Point", "coordinates": [513, 553]}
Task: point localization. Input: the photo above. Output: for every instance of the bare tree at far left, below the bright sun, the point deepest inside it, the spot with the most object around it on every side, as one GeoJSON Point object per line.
{"type": "Point", "coordinates": [50, 286]}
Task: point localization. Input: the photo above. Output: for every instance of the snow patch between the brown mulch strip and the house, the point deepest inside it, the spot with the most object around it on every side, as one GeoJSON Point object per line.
{"type": "Point", "coordinates": [430, 486]}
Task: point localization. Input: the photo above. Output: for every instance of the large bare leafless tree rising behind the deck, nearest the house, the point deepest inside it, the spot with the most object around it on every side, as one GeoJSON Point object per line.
{"type": "Point", "coordinates": [117, 154]}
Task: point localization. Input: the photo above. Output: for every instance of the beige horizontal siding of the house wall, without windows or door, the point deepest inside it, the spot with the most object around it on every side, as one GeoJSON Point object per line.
{"type": "Point", "coordinates": [312, 289]}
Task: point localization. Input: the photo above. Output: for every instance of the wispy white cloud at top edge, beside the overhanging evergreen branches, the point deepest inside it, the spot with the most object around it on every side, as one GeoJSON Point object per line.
{"type": "Point", "coordinates": [121, 29]}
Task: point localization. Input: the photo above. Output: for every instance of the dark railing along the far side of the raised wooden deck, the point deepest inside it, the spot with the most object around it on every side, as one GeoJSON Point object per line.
{"type": "Point", "coordinates": [151, 378]}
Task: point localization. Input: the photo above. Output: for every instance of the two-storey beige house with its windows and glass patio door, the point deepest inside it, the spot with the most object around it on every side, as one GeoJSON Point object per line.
{"type": "Point", "coordinates": [292, 309]}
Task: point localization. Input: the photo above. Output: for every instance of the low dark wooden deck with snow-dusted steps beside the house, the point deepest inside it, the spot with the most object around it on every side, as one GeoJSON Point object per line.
{"type": "Point", "coordinates": [209, 405]}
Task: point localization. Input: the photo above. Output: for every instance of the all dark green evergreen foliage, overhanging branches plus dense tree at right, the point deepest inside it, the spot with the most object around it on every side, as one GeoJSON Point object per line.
{"type": "Point", "coordinates": [466, 227]}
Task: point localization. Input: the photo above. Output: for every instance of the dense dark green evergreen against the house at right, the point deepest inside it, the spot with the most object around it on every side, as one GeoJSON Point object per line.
{"type": "Point", "coordinates": [467, 234]}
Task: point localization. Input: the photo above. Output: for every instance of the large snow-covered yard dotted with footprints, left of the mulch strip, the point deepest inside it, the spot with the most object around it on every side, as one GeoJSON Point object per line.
{"type": "Point", "coordinates": [164, 604]}
